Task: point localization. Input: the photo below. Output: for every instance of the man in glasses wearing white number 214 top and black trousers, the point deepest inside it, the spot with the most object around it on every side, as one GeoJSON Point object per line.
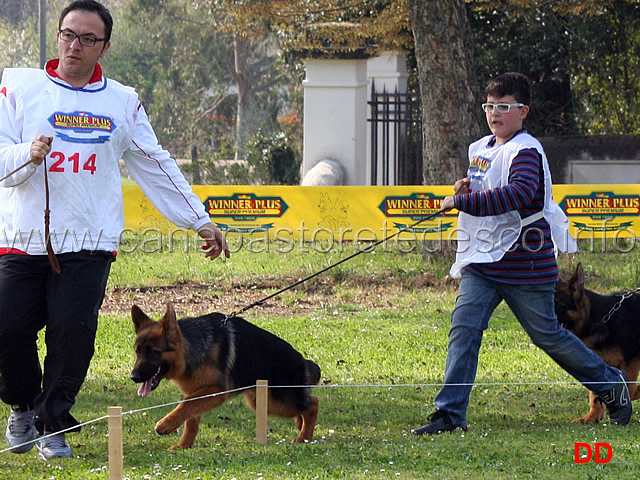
{"type": "Point", "coordinates": [70, 125]}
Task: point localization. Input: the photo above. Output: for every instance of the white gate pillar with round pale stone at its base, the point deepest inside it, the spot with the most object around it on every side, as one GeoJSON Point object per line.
{"type": "Point", "coordinates": [335, 116]}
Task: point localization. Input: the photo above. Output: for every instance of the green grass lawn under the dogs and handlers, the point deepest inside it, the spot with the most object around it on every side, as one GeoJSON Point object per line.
{"type": "Point", "coordinates": [381, 368]}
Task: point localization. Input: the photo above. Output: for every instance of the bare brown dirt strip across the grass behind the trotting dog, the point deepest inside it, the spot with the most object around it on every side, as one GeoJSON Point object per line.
{"type": "Point", "coordinates": [192, 298]}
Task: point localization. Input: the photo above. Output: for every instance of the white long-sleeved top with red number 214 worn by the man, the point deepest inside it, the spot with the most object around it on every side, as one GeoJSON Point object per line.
{"type": "Point", "coordinates": [92, 129]}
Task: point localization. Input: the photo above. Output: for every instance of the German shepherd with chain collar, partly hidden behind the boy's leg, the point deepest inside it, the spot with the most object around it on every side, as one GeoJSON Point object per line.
{"type": "Point", "coordinates": [616, 340]}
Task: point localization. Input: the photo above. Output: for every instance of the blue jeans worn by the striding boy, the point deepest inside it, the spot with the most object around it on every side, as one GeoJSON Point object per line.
{"type": "Point", "coordinates": [533, 306]}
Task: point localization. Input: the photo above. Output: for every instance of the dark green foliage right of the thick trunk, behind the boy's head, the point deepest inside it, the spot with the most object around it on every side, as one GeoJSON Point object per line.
{"type": "Point", "coordinates": [582, 56]}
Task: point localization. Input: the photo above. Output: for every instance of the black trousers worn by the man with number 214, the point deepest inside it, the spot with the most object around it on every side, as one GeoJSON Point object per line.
{"type": "Point", "coordinates": [32, 297]}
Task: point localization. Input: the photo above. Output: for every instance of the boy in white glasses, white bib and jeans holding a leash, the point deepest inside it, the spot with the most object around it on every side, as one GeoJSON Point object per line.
{"type": "Point", "coordinates": [509, 228]}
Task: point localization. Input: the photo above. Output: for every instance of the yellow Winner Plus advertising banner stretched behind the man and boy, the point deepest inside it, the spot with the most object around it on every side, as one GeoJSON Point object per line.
{"type": "Point", "coordinates": [297, 214]}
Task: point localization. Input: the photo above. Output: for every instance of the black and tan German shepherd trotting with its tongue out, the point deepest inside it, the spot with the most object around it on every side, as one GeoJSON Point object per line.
{"type": "Point", "coordinates": [211, 354]}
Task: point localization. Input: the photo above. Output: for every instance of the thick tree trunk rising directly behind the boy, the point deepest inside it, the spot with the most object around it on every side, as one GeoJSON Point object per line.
{"type": "Point", "coordinates": [450, 108]}
